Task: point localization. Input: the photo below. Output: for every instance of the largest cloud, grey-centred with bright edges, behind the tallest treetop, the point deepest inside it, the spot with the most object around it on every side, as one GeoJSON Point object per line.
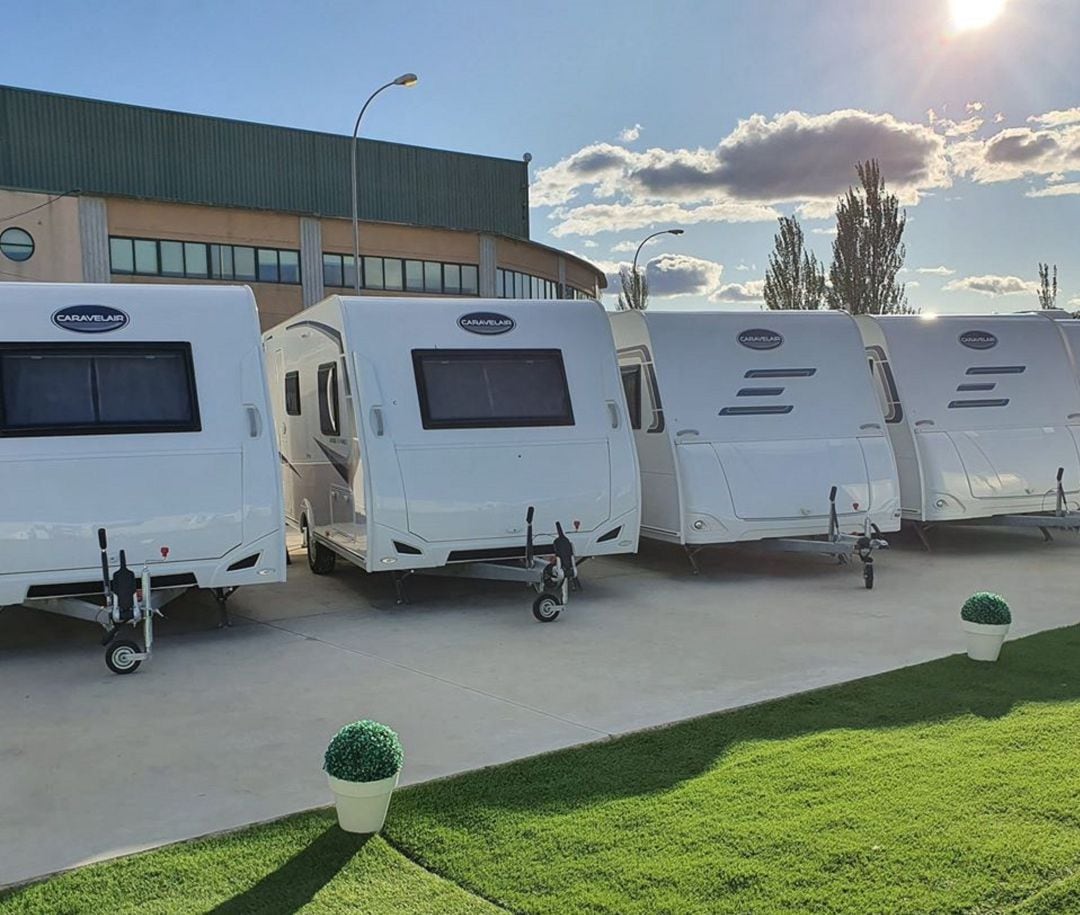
{"type": "Point", "coordinates": [805, 159]}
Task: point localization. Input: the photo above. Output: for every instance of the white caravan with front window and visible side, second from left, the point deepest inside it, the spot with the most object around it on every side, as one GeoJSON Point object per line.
{"type": "Point", "coordinates": [420, 434]}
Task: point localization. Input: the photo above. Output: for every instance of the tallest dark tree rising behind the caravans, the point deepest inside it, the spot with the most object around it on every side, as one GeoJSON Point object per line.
{"type": "Point", "coordinates": [869, 250]}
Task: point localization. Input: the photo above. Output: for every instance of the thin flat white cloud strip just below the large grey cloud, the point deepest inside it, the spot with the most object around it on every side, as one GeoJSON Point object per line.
{"type": "Point", "coordinates": [592, 219]}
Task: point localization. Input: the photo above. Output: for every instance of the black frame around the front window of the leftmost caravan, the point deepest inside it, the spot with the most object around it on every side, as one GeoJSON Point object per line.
{"type": "Point", "coordinates": [89, 349]}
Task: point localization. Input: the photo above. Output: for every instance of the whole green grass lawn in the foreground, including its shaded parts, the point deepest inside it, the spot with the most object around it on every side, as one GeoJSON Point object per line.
{"type": "Point", "coordinates": [947, 788]}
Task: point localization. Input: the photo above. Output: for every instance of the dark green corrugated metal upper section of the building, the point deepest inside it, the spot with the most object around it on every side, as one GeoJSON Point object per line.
{"type": "Point", "coordinates": [59, 143]}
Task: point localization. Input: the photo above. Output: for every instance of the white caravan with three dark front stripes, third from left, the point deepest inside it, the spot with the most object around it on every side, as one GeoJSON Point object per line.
{"type": "Point", "coordinates": [758, 426]}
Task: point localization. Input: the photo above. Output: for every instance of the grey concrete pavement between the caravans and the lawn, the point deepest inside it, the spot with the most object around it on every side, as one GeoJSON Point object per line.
{"type": "Point", "coordinates": [227, 728]}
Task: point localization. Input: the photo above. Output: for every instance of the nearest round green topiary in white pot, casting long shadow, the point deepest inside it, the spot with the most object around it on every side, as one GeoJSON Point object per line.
{"type": "Point", "coordinates": [362, 763]}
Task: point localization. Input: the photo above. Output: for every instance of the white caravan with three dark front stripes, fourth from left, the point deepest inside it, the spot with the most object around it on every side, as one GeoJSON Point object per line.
{"type": "Point", "coordinates": [984, 414]}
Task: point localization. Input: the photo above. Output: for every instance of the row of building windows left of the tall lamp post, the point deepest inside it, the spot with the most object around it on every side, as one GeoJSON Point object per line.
{"type": "Point", "coordinates": [199, 261]}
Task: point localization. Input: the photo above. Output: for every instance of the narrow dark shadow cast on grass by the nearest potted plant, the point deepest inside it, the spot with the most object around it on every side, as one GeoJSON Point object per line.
{"type": "Point", "coordinates": [295, 884]}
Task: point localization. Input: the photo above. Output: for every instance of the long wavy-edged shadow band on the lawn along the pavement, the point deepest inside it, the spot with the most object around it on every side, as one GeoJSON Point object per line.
{"type": "Point", "coordinates": [1038, 669]}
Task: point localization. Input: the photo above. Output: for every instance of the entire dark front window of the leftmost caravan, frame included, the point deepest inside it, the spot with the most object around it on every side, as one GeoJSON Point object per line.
{"type": "Point", "coordinates": [97, 389]}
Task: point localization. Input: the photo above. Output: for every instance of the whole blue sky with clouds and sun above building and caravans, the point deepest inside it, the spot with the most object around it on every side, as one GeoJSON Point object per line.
{"type": "Point", "coordinates": [714, 117]}
